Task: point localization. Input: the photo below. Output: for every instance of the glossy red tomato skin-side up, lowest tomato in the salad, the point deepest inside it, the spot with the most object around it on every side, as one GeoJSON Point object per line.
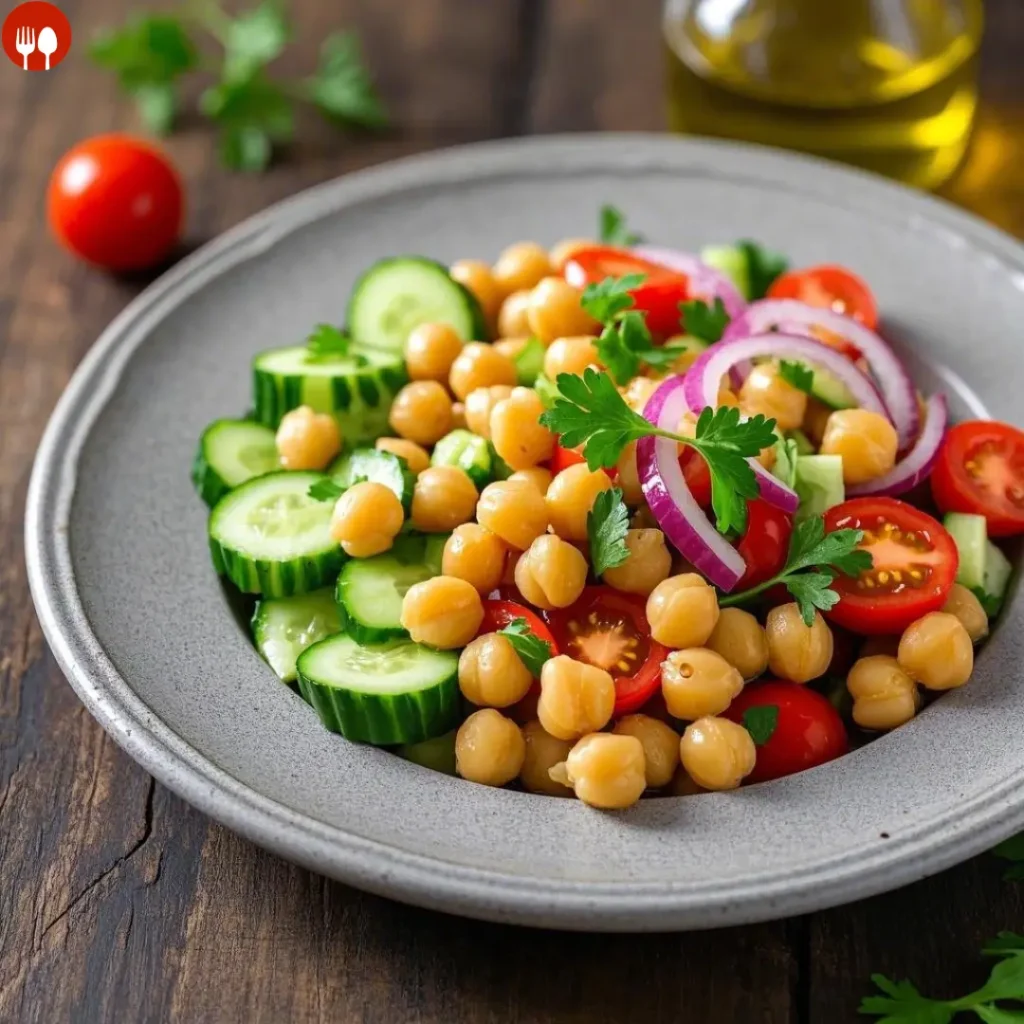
{"type": "Point", "coordinates": [808, 733]}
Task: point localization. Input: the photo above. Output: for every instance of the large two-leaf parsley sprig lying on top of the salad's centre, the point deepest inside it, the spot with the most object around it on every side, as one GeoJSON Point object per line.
{"type": "Point", "coordinates": [592, 413]}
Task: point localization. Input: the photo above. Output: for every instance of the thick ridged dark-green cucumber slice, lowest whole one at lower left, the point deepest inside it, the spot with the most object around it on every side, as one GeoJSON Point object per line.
{"type": "Point", "coordinates": [398, 693]}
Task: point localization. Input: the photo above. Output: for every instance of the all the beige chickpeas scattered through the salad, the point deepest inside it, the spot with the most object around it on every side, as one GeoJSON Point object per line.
{"type": "Point", "coordinates": [531, 530]}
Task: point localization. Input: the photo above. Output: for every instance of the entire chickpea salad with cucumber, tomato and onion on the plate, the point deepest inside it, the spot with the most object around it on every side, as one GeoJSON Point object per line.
{"type": "Point", "coordinates": [611, 520]}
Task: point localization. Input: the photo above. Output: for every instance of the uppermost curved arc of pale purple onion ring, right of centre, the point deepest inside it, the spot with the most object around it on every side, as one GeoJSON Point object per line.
{"type": "Point", "coordinates": [893, 381]}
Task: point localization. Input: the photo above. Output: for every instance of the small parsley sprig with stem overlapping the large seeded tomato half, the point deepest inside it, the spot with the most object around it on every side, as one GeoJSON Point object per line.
{"type": "Point", "coordinates": [816, 560]}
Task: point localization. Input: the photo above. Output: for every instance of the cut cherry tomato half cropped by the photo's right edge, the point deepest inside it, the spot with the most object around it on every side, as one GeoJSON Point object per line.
{"type": "Point", "coordinates": [982, 471]}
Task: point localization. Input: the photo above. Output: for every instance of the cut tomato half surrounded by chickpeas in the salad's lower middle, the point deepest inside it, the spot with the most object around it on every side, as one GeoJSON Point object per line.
{"type": "Point", "coordinates": [610, 629]}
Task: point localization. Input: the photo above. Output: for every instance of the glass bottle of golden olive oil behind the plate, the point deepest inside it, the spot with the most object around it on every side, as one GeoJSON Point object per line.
{"type": "Point", "coordinates": [889, 86]}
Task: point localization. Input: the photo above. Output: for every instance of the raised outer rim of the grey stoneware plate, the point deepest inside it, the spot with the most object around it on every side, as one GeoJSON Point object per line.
{"type": "Point", "coordinates": [375, 866]}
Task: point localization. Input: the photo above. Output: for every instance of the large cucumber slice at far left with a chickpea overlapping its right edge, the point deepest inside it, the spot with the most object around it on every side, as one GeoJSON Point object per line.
{"type": "Point", "coordinates": [269, 537]}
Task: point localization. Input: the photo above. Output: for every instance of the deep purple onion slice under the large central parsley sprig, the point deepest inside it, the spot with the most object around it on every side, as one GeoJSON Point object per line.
{"type": "Point", "coordinates": [670, 499]}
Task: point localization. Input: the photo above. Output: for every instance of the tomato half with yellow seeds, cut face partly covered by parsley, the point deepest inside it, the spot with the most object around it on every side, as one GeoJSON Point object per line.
{"type": "Point", "coordinates": [915, 565]}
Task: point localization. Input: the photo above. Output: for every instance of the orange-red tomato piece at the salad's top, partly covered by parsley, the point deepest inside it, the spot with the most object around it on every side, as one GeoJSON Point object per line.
{"type": "Point", "coordinates": [659, 296]}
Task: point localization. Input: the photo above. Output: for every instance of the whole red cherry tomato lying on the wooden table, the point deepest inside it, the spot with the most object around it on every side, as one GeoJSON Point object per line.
{"type": "Point", "coordinates": [117, 202]}
